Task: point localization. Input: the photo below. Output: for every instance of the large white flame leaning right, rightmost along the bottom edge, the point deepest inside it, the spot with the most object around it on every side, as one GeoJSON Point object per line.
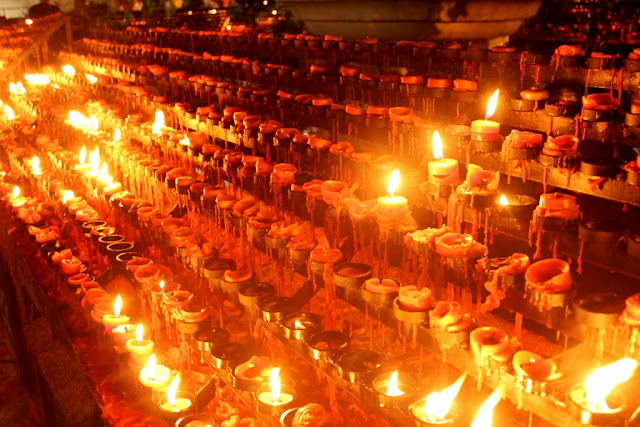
{"type": "Point", "coordinates": [603, 380]}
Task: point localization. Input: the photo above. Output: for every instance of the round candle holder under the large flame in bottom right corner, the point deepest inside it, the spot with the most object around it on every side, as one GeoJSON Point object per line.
{"type": "Point", "coordinates": [578, 407]}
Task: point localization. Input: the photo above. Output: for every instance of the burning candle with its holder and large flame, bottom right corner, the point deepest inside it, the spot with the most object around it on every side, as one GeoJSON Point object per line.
{"type": "Point", "coordinates": [595, 401]}
